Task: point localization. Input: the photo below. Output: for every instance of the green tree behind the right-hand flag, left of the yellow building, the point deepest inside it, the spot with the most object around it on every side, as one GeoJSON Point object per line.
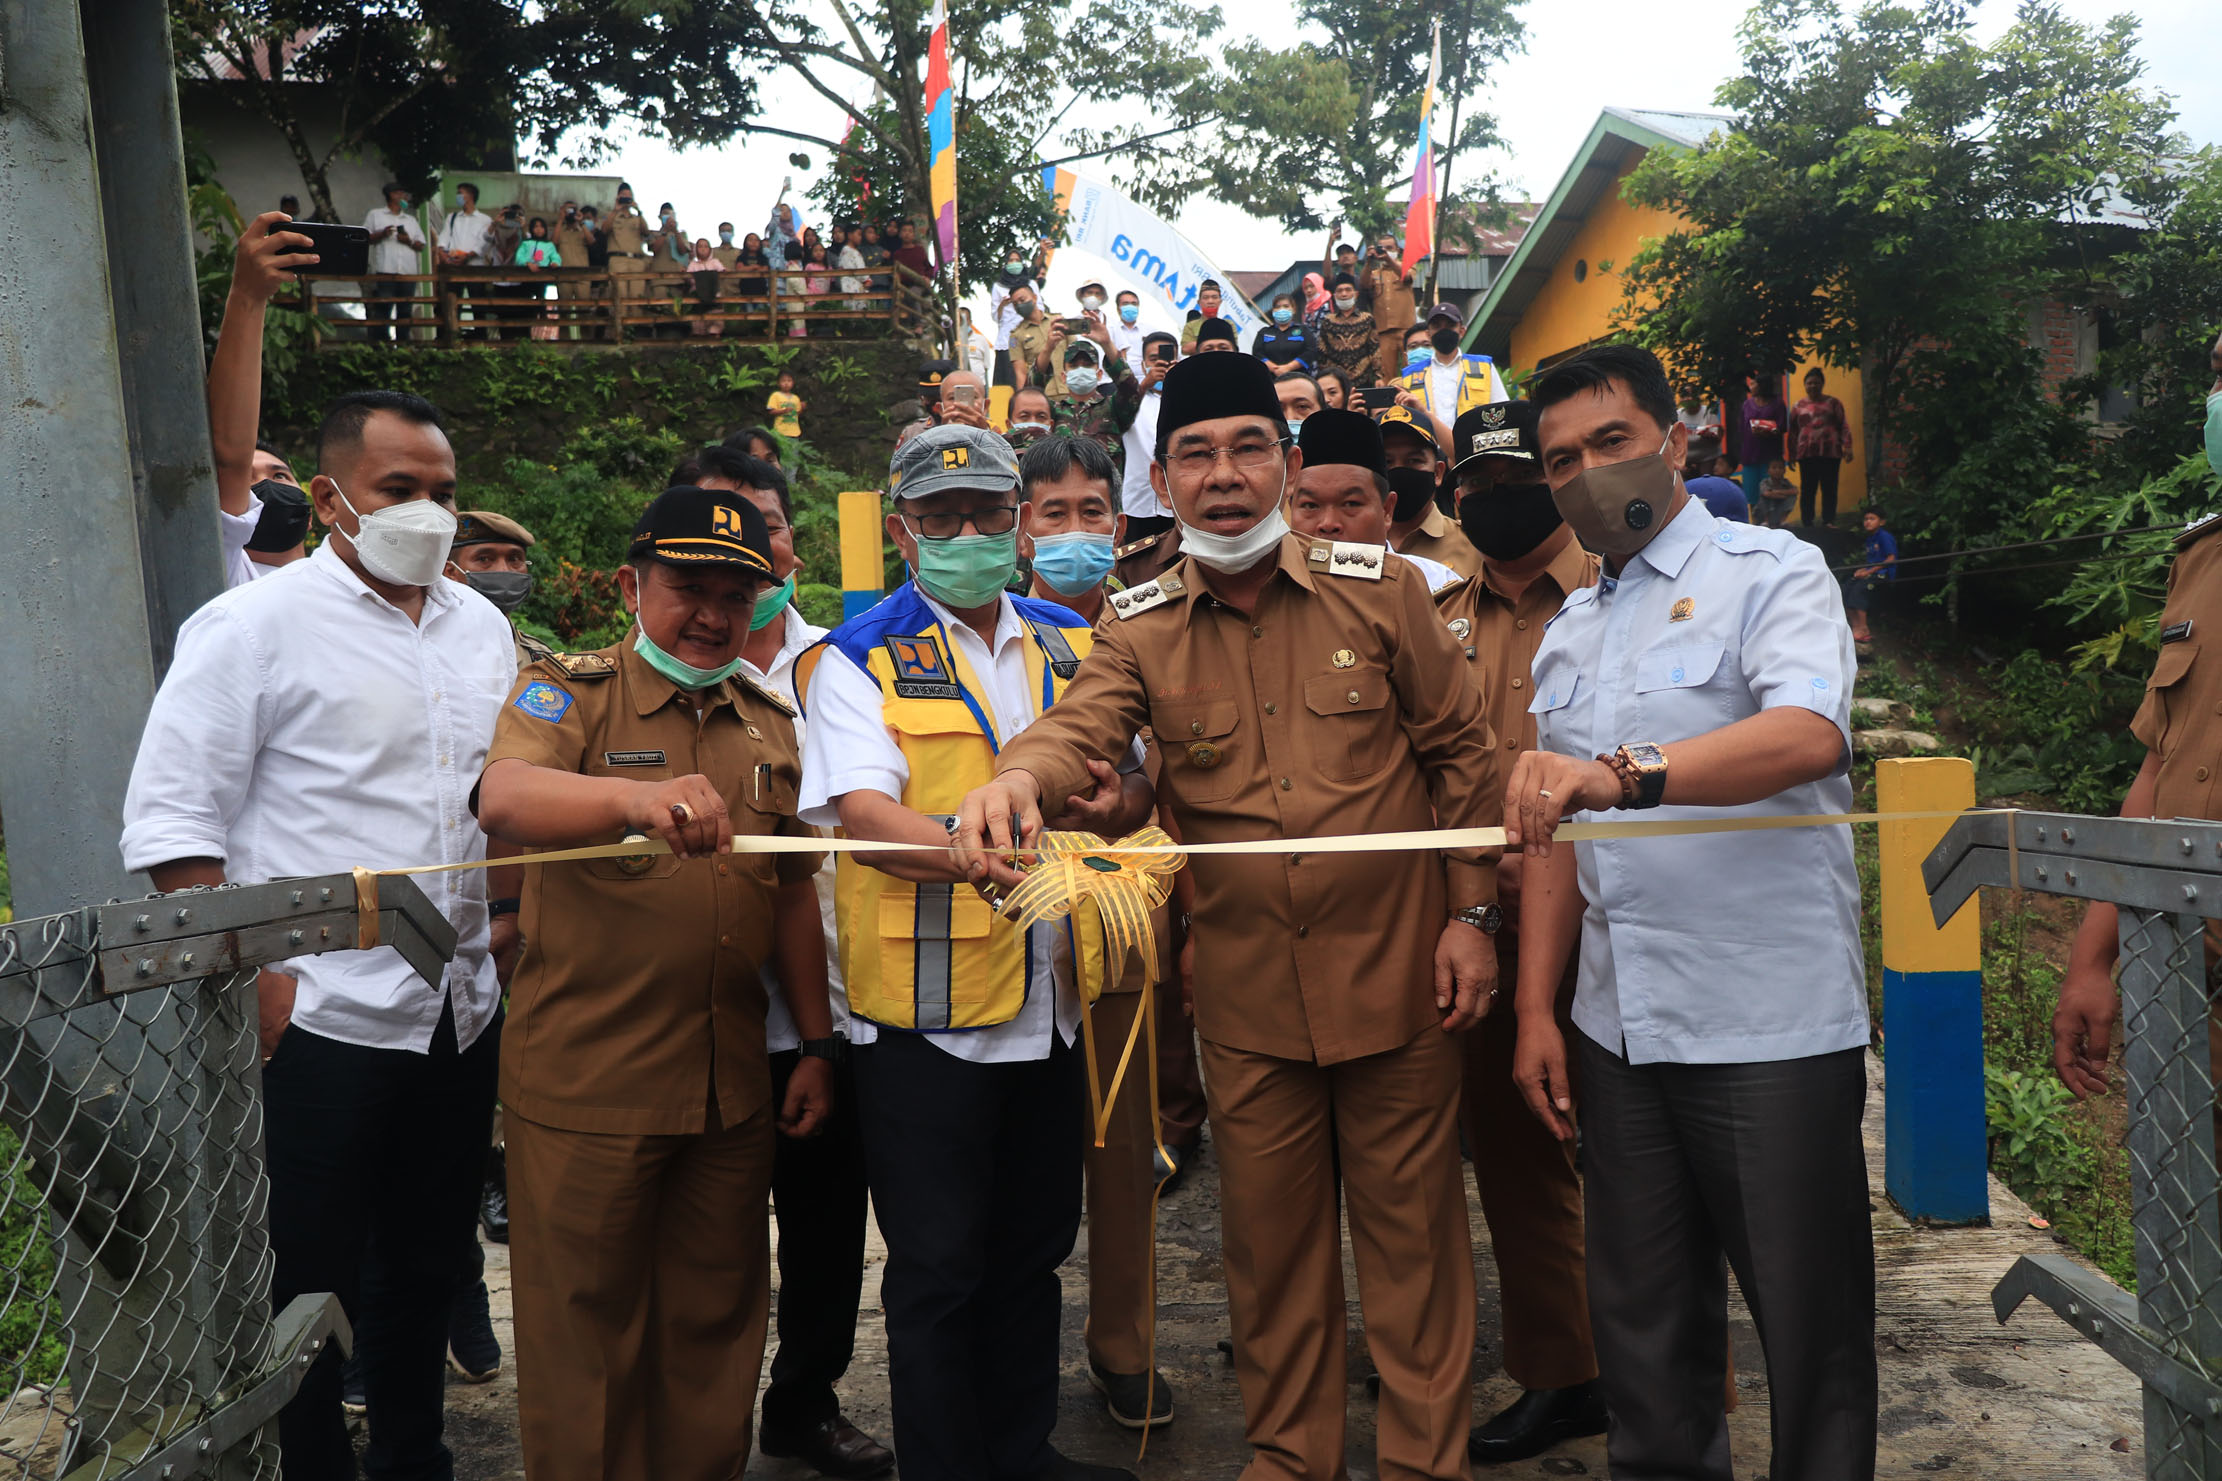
{"type": "Point", "coordinates": [1325, 130]}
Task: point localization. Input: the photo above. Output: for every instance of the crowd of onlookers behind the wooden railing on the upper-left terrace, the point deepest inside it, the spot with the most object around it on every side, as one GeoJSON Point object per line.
{"type": "Point", "coordinates": [788, 279]}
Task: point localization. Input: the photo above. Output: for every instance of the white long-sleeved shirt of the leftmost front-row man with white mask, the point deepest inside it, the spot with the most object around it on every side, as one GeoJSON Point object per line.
{"type": "Point", "coordinates": [310, 727]}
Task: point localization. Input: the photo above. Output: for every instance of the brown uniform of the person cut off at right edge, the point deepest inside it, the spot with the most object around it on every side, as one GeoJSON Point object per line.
{"type": "Point", "coordinates": [2181, 701]}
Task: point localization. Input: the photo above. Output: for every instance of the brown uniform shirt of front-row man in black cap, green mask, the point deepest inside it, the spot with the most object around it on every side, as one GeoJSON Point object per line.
{"type": "Point", "coordinates": [639, 998]}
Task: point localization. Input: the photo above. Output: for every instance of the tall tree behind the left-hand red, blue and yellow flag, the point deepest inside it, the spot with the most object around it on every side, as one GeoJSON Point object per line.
{"type": "Point", "coordinates": [1021, 70]}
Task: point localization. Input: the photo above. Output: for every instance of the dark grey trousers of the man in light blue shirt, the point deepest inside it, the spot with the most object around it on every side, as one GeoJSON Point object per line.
{"type": "Point", "coordinates": [1761, 1165]}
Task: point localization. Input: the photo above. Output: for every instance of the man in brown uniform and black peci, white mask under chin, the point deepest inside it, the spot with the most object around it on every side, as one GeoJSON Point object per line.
{"type": "Point", "coordinates": [1303, 689]}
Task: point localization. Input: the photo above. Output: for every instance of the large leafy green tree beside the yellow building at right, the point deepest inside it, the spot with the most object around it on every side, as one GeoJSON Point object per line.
{"type": "Point", "coordinates": [1896, 197]}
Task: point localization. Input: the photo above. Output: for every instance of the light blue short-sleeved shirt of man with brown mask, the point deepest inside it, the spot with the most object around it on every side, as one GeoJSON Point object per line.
{"type": "Point", "coordinates": [1721, 947]}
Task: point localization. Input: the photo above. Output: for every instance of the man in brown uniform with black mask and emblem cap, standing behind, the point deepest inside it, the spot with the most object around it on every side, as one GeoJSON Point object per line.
{"type": "Point", "coordinates": [1525, 1176]}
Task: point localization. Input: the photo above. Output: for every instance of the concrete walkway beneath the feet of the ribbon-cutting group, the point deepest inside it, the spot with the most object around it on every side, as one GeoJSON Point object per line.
{"type": "Point", "coordinates": [1961, 1396]}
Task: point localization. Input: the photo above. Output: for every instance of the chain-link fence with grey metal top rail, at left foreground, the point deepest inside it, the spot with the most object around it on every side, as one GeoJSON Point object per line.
{"type": "Point", "coordinates": [137, 1336]}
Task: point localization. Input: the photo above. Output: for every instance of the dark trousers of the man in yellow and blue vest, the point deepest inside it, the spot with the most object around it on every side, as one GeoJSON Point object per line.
{"type": "Point", "coordinates": [977, 1182]}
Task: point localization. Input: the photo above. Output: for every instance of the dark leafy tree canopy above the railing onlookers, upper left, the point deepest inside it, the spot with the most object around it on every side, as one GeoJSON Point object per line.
{"type": "Point", "coordinates": [430, 83]}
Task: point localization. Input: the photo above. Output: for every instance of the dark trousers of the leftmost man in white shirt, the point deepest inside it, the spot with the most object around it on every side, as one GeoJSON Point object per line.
{"type": "Point", "coordinates": [377, 1160]}
